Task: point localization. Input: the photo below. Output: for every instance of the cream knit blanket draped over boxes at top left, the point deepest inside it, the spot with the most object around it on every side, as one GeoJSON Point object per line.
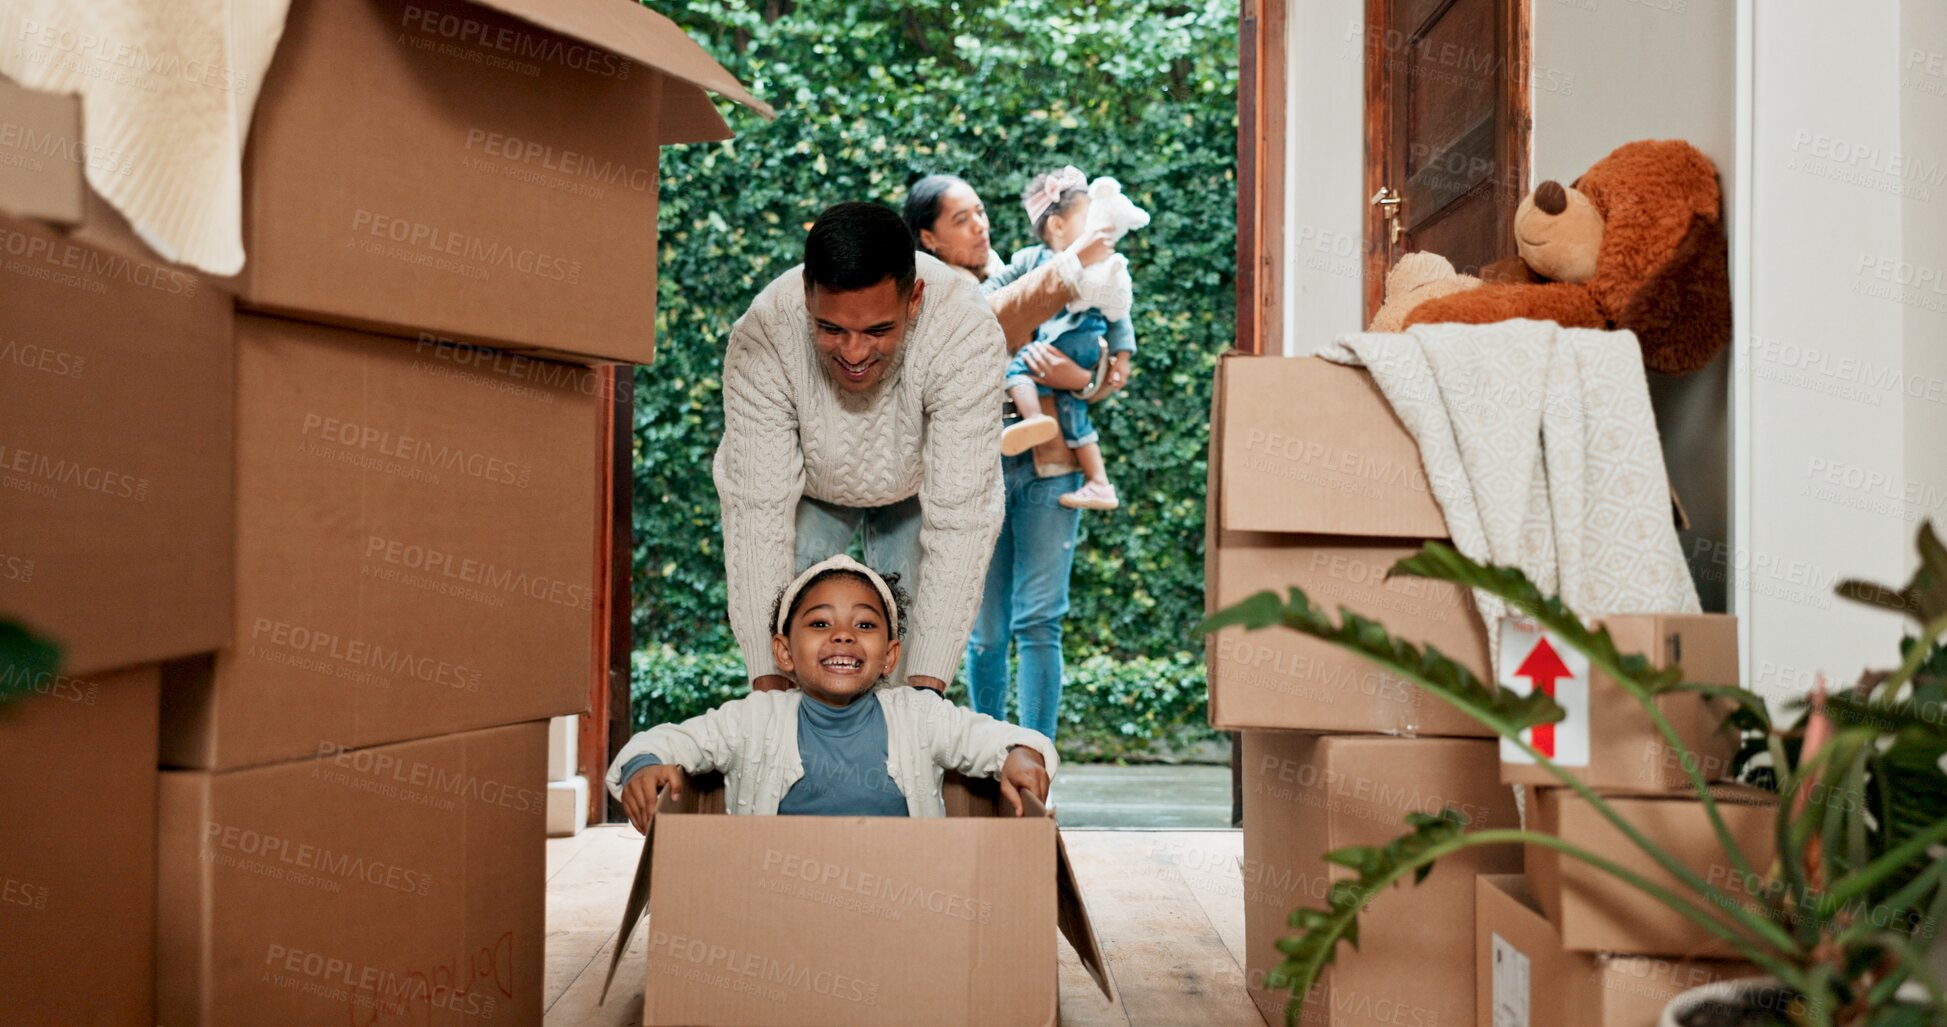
{"type": "Point", "coordinates": [166, 89]}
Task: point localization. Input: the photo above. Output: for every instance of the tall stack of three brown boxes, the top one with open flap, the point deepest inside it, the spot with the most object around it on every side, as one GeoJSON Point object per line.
{"type": "Point", "coordinates": [420, 517]}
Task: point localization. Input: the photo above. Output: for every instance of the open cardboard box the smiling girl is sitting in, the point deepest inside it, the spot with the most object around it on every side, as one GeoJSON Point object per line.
{"type": "Point", "coordinates": [860, 921]}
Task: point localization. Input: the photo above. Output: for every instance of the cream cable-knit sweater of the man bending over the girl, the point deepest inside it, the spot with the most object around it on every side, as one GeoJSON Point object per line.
{"type": "Point", "coordinates": [932, 428]}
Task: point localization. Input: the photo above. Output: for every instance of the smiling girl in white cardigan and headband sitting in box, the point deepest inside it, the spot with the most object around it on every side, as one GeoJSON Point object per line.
{"type": "Point", "coordinates": [844, 743]}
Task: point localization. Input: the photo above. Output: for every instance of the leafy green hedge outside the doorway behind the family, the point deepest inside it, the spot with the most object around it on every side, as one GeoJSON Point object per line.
{"type": "Point", "coordinates": [871, 96]}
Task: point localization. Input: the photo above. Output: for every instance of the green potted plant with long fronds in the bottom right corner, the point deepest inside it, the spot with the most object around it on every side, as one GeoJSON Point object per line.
{"type": "Point", "coordinates": [1845, 915]}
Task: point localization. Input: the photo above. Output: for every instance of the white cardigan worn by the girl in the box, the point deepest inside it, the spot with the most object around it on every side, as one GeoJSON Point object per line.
{"type": "Point", "coordinates": [754, 743]}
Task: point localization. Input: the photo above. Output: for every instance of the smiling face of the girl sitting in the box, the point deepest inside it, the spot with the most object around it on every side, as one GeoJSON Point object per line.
{"type": "Point", "coordinates": [840, 644]}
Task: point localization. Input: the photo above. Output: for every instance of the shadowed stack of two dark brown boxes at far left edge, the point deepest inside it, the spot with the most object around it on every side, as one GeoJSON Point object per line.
{"type": "Point", "coordinates": [116, 519]}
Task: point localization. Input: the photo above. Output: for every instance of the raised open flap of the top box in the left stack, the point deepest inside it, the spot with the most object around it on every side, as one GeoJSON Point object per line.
{"type": "Point", "coordinates": [651, 40]}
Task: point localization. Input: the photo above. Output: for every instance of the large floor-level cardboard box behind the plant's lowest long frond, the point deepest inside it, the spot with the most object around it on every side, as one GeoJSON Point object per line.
{"type": "Point", "coordinates": [1313, 794]}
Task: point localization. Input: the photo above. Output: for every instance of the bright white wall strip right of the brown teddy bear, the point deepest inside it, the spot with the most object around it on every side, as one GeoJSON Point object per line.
{"type": "Point", "coordinates": [1821, 344]}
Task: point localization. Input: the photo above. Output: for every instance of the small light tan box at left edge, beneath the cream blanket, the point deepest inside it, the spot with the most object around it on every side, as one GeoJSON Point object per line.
{"type": "Point", "coordinates": [42, 155]}
